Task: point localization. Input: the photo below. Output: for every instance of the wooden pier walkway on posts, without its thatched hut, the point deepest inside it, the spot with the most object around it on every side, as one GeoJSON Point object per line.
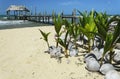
{"type": "Point", "coordinates": [48, 19]}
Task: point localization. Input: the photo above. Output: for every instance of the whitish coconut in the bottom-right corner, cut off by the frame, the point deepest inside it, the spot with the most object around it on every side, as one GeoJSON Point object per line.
{"type": "Point", "coordinates": [112, 74]}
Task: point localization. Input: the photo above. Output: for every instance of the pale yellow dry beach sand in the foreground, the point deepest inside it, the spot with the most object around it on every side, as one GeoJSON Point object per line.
{"type": "Point", "coordinates": [22, 57]}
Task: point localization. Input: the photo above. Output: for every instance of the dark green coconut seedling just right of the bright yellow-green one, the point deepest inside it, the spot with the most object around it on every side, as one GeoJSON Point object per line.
{"type": "Point", "coordinates": [102, 22]}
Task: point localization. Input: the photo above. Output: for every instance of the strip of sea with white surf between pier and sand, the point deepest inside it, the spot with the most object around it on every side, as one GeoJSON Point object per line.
{"type": "Point", "coordinates": [9, 24]}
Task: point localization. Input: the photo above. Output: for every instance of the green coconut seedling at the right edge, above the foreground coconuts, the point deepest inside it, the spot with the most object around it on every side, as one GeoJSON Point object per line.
{"type": "Point", "coordinates": [110, 42]}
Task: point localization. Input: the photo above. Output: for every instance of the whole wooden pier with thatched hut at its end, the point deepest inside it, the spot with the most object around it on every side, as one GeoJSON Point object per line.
{"type": "Point", "coordinates": [21, 13]}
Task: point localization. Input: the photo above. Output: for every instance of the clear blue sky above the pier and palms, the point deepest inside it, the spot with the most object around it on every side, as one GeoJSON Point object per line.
{"type": "Point", "coordinates": [110, 6]}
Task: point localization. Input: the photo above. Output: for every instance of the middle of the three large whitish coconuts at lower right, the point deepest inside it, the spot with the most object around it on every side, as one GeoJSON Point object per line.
{"type": "Point", "coordinates": [106, 68]}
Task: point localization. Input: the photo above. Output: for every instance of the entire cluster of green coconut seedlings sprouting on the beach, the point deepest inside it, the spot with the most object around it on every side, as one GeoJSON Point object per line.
{"type": "Point", "coordinates": [91, 25]}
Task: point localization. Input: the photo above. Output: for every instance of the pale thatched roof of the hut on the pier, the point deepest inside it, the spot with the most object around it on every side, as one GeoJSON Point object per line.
{"type": "Point", "coordinates": [17, 8]}
